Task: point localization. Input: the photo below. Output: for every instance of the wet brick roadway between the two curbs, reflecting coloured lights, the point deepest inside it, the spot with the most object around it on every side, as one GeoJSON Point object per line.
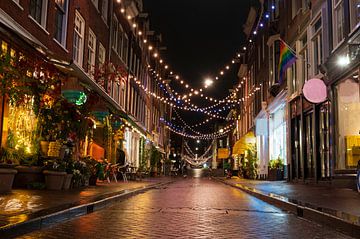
{"type": "Point", "coordinates": [189, 208]}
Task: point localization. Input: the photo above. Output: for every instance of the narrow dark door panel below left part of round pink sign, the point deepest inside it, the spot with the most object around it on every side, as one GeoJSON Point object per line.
{"type": "Point", "coordinates": [308, 147]}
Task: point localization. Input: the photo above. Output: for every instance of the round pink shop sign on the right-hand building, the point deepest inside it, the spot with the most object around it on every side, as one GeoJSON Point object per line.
{"type": "Point", "coordinates": [315, 91]}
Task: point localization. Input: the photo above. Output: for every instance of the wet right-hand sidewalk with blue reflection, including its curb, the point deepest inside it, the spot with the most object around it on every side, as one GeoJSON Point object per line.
{"type": "Point", "coordinates": [335, 206]}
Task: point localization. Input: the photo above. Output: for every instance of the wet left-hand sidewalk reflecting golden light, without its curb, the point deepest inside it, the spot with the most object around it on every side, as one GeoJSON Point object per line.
{"type": "Point", "coordinates": [19, 206]}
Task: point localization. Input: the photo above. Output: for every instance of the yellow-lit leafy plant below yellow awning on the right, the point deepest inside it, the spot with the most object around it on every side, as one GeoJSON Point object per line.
{"type": "Point", "coordinates": [248, 167]}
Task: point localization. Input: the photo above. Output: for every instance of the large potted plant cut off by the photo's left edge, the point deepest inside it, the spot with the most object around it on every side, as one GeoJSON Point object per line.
{"type": "Point", "coordinates": [8, 161]}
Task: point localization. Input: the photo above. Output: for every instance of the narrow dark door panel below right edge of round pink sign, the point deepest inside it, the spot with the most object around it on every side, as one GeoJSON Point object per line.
{"type": "Point", "coordinates": [324, 140]}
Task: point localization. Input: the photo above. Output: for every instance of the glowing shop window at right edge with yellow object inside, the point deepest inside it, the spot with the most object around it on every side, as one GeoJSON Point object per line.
{"type": "Point", "coordinates": [348, 124]}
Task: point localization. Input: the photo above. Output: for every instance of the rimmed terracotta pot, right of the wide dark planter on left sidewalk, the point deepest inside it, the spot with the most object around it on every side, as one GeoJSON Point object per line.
{"type": "Point", "coordinates": [54, 174]}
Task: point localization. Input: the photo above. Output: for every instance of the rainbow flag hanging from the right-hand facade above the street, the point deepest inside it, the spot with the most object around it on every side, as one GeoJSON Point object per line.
{"type": "Point", "coordinates": [287, 58]}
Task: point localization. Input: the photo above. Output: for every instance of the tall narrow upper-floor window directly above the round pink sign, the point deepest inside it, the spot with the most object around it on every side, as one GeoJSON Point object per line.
{"type": "Point", "coordinates": [317, 52]}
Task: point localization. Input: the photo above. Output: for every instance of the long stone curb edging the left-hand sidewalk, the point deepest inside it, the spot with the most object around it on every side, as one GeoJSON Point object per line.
{"type": "Point", "coordinates": [41, 222]}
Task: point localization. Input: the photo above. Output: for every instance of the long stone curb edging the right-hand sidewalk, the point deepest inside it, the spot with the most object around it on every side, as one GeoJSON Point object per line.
{"type": "Point", "coordinates": [349, 224]}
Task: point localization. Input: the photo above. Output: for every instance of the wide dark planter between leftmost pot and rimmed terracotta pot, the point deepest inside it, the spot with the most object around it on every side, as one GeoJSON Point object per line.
{"type": "Point", "coordinates": [29, 172]}
